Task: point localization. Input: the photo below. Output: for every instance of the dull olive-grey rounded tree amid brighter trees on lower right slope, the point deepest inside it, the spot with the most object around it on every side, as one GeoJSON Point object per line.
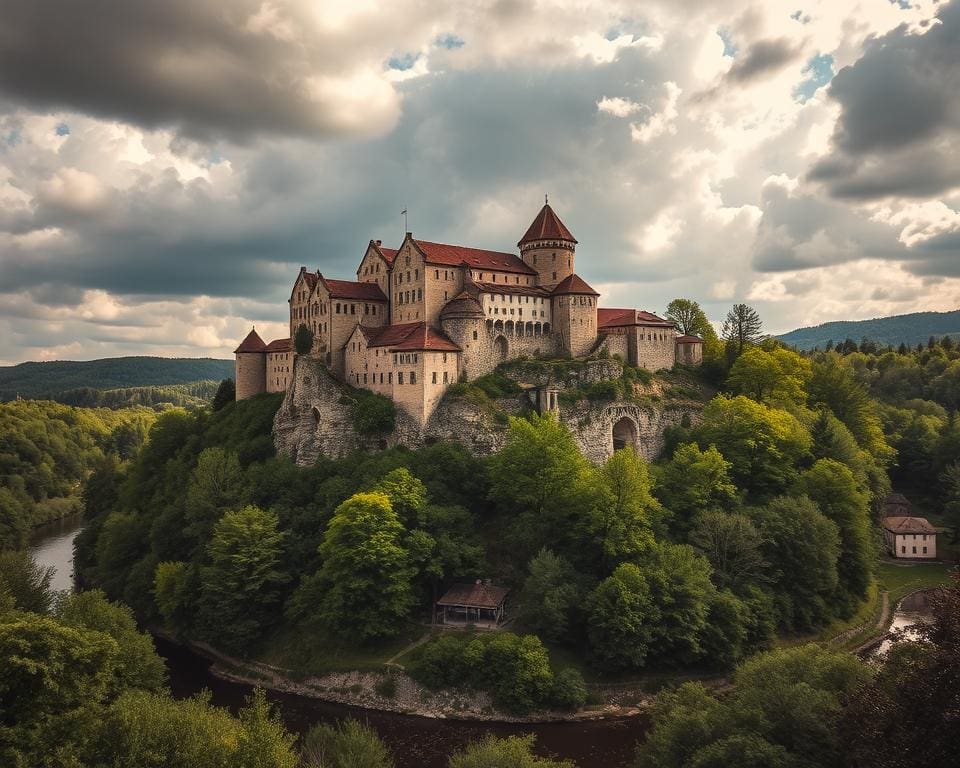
{"type": "Point", "coordinates": [733, 546]}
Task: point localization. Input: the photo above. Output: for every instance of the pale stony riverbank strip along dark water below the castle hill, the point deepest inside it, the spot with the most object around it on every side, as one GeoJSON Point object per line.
{"type": "Point", "coordinates": [392, 690]}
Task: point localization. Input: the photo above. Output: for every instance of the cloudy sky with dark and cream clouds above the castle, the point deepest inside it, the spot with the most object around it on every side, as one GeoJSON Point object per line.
{"type": "Point", "coordinates": [165, 167]}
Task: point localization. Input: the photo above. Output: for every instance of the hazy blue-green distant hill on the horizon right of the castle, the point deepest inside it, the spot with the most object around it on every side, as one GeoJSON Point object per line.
{"type": "Point", "coordinates": [910, 329]}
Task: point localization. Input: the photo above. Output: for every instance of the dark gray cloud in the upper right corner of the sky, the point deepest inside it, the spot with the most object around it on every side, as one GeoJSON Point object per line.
{"type": "Point", "coordinates": [899, 130]}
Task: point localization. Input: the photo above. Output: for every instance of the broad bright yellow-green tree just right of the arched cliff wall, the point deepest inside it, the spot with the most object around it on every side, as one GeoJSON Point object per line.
{"type": "Point", "coordinates": [763, 445]}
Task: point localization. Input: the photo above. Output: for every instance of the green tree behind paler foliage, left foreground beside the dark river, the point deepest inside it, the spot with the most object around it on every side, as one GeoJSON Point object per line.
{"type": "Point", "coordinates": [137, 662]}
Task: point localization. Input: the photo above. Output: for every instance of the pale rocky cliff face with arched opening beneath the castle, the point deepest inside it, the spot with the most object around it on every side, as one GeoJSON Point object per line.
{"type": "Point", "coordinates": [315, 418]}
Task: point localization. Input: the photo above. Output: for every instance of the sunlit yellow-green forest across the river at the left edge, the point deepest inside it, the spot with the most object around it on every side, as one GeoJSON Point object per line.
{"type": "Point", "coordinates": [47, 450]}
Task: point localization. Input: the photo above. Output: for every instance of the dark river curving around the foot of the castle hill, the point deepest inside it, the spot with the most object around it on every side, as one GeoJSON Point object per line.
{"type": "Point", "coordinates": [416, 742]}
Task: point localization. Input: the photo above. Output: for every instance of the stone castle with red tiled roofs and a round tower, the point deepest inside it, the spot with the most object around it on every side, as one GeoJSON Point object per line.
{"type": "Point", "coordinates": [425, 315]}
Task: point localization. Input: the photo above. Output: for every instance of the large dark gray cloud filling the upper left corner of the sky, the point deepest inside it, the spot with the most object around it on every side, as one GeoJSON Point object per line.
{"type": "Point", "coordinates": [206, 67]}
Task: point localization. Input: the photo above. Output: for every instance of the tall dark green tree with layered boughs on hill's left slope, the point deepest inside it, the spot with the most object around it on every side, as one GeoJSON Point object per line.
{"type": "Point", "coordinates": [241, 588]}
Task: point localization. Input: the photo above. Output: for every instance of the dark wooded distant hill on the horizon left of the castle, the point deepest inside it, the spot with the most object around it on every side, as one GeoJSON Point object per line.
{"type": "Point", "coordinates": [53, 379]}
